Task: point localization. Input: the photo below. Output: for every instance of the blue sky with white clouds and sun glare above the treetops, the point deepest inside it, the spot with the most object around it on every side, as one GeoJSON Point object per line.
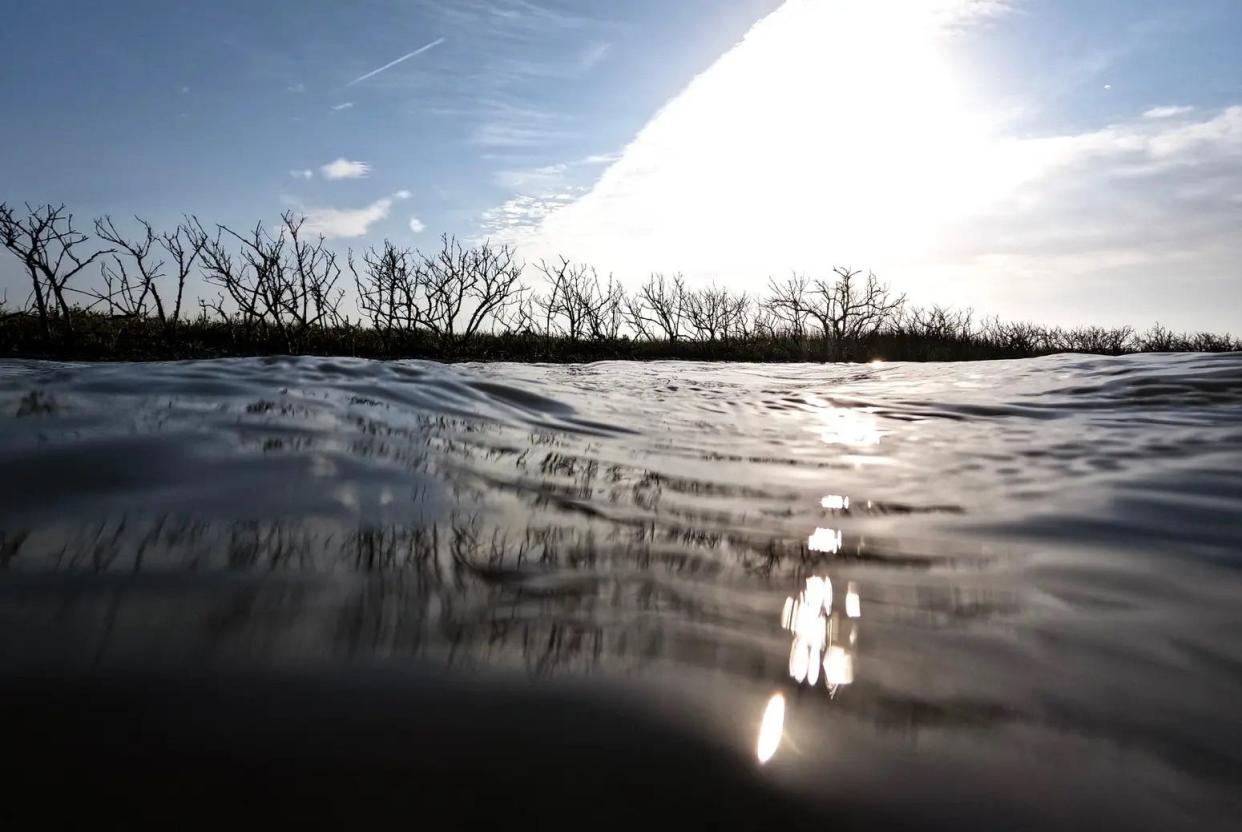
{"type": "Point", "coordinates": [1061, 161]}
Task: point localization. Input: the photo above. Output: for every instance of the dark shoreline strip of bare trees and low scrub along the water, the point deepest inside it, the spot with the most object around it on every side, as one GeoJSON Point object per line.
{"type": "Point", "coordinates": [111, 296]}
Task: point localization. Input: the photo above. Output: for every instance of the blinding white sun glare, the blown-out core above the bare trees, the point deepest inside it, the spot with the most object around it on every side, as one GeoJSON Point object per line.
{"type": "Point", "coordinates": [844, 127]}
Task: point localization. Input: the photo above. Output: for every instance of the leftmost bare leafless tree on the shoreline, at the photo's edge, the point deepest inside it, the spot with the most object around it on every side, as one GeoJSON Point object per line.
{"type": "Point", "coordinates": [52, 250]}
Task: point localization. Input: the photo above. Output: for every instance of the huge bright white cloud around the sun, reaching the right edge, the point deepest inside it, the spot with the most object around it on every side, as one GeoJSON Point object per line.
{"type": "Point", "coordinates": [740, 178]}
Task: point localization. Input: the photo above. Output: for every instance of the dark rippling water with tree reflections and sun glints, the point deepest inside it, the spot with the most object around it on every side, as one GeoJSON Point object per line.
{"type": "Point", "coordinates": [990, 595]}
